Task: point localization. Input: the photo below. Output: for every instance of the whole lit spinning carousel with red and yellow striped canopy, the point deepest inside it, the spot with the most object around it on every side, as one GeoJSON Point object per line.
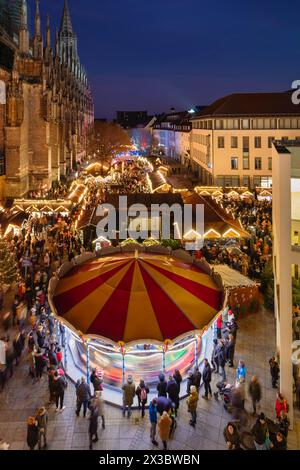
{"type": "Point", "coordinates": [134, 313]}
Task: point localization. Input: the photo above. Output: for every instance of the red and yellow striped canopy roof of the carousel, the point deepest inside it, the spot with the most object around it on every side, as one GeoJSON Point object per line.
{"type": "Point", "coordinates": [128, 298]}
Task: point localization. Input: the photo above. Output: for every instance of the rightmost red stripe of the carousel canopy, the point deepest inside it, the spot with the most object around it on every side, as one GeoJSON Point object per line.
{"type": "Point", "coordinates": [206, 294]}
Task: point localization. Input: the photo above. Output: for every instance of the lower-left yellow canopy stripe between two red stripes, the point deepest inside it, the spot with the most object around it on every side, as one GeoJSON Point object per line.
{"type": "Point", "coordinates": [86, 311]}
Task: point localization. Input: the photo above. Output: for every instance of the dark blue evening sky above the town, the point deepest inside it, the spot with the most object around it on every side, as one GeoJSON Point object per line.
{"type": "Point", "coordinates": [155, 54]}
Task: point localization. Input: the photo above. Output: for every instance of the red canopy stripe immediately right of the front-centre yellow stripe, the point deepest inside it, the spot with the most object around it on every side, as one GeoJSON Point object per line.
{"type": "Point", "coordinates": [171, 319]}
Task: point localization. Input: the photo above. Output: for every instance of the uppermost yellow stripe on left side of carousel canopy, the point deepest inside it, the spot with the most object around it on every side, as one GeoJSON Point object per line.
{"type": "Point", "coordinates": [79, 278]}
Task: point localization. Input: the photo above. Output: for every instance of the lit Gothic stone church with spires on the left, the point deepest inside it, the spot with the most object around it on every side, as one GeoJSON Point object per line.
{"type": "Point", "coordinates": [46, 106]}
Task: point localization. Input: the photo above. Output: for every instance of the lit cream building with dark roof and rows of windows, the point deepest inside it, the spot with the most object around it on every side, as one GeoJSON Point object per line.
{"type": "Point", "coordinates": [231, 140]}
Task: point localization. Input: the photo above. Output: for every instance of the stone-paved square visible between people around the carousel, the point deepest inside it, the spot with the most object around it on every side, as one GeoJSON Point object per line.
{"type": "Point", "coordinates": [21, 398]}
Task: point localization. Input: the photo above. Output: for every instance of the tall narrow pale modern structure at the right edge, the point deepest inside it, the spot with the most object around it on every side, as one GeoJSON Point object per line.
{"type": "Point", "coordinates": [286, 252]}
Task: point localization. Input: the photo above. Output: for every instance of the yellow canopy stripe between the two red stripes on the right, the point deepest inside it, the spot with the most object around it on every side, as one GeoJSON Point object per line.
{"type": "Point", "coordinates": [197, 311]}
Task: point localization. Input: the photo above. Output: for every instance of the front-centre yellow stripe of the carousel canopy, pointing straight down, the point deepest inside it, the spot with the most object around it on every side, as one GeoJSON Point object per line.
{"type": "Point", "coordinates": [141, 320]}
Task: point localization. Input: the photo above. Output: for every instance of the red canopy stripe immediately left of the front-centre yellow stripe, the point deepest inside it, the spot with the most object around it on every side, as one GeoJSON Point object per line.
{"type": "Point", "coordinates": [111, 319]}
